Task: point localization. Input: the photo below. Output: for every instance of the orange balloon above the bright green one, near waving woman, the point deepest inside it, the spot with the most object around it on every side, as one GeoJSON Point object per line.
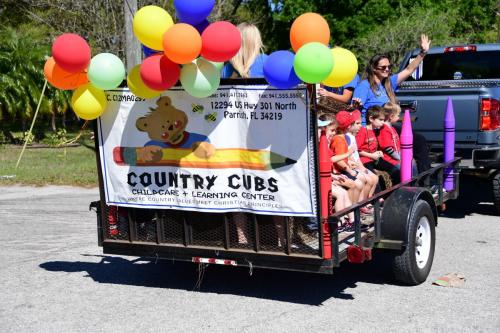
{"type": "Point", "coordinates": [307, 28]}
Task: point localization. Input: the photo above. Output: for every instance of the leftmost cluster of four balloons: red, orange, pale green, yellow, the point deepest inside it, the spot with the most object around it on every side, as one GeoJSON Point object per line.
{"type": "Point", "coordinates": [71, 68]}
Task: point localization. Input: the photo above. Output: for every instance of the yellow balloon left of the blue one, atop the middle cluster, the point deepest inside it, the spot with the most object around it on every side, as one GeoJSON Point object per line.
{"type": "Point", "coordinates": [150, 23]}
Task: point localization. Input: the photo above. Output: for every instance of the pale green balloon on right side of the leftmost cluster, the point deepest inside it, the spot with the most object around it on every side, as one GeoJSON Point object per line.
{"type": "Point", "coordinates": [106, 71]}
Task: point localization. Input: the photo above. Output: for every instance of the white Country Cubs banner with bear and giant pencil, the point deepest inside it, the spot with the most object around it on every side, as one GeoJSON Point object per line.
{"type": "Point", "coordinates": [245, 148]}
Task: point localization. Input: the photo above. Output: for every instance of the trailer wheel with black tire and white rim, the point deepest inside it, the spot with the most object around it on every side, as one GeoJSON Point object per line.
{"type": "Point", "coordinates": [414, 264]}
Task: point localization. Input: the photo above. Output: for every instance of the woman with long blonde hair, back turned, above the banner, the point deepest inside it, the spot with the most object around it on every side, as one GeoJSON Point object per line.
{"type": "Point", "coordinates": [249, 61]}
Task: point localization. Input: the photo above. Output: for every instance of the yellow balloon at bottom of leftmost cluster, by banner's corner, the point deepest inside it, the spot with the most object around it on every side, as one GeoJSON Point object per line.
{"type": "Point", "coordinates": [88, 102]}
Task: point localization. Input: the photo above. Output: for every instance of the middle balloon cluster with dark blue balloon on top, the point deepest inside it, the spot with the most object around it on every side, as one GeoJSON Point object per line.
{"type": "Point", "coordinates": [191, 50]}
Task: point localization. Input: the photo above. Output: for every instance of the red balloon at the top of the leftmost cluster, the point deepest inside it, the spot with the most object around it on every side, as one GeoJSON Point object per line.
{"type": "Point", "coordinates": [71, 52]}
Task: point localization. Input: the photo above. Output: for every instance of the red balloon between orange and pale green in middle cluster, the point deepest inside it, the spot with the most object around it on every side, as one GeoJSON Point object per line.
{"type": "Point", "coordinates": [159, 73]}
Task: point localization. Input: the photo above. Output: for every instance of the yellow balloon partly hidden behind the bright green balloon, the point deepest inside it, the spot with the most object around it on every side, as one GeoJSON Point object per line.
{"type": "Point", "coordinates": [345, 67]}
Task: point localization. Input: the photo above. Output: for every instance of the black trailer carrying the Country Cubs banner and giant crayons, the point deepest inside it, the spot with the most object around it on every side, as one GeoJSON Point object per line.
{"type": "Point", "coordinates": [238, 179]}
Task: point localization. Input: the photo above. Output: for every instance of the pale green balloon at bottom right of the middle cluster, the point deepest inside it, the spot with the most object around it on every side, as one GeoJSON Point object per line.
{"type": "Point", "coordinates": [200, 78]}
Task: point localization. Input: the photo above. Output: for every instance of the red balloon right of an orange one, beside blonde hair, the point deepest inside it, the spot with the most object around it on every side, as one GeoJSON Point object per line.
{"type": "Point", "coordinates": [220, 41]}
